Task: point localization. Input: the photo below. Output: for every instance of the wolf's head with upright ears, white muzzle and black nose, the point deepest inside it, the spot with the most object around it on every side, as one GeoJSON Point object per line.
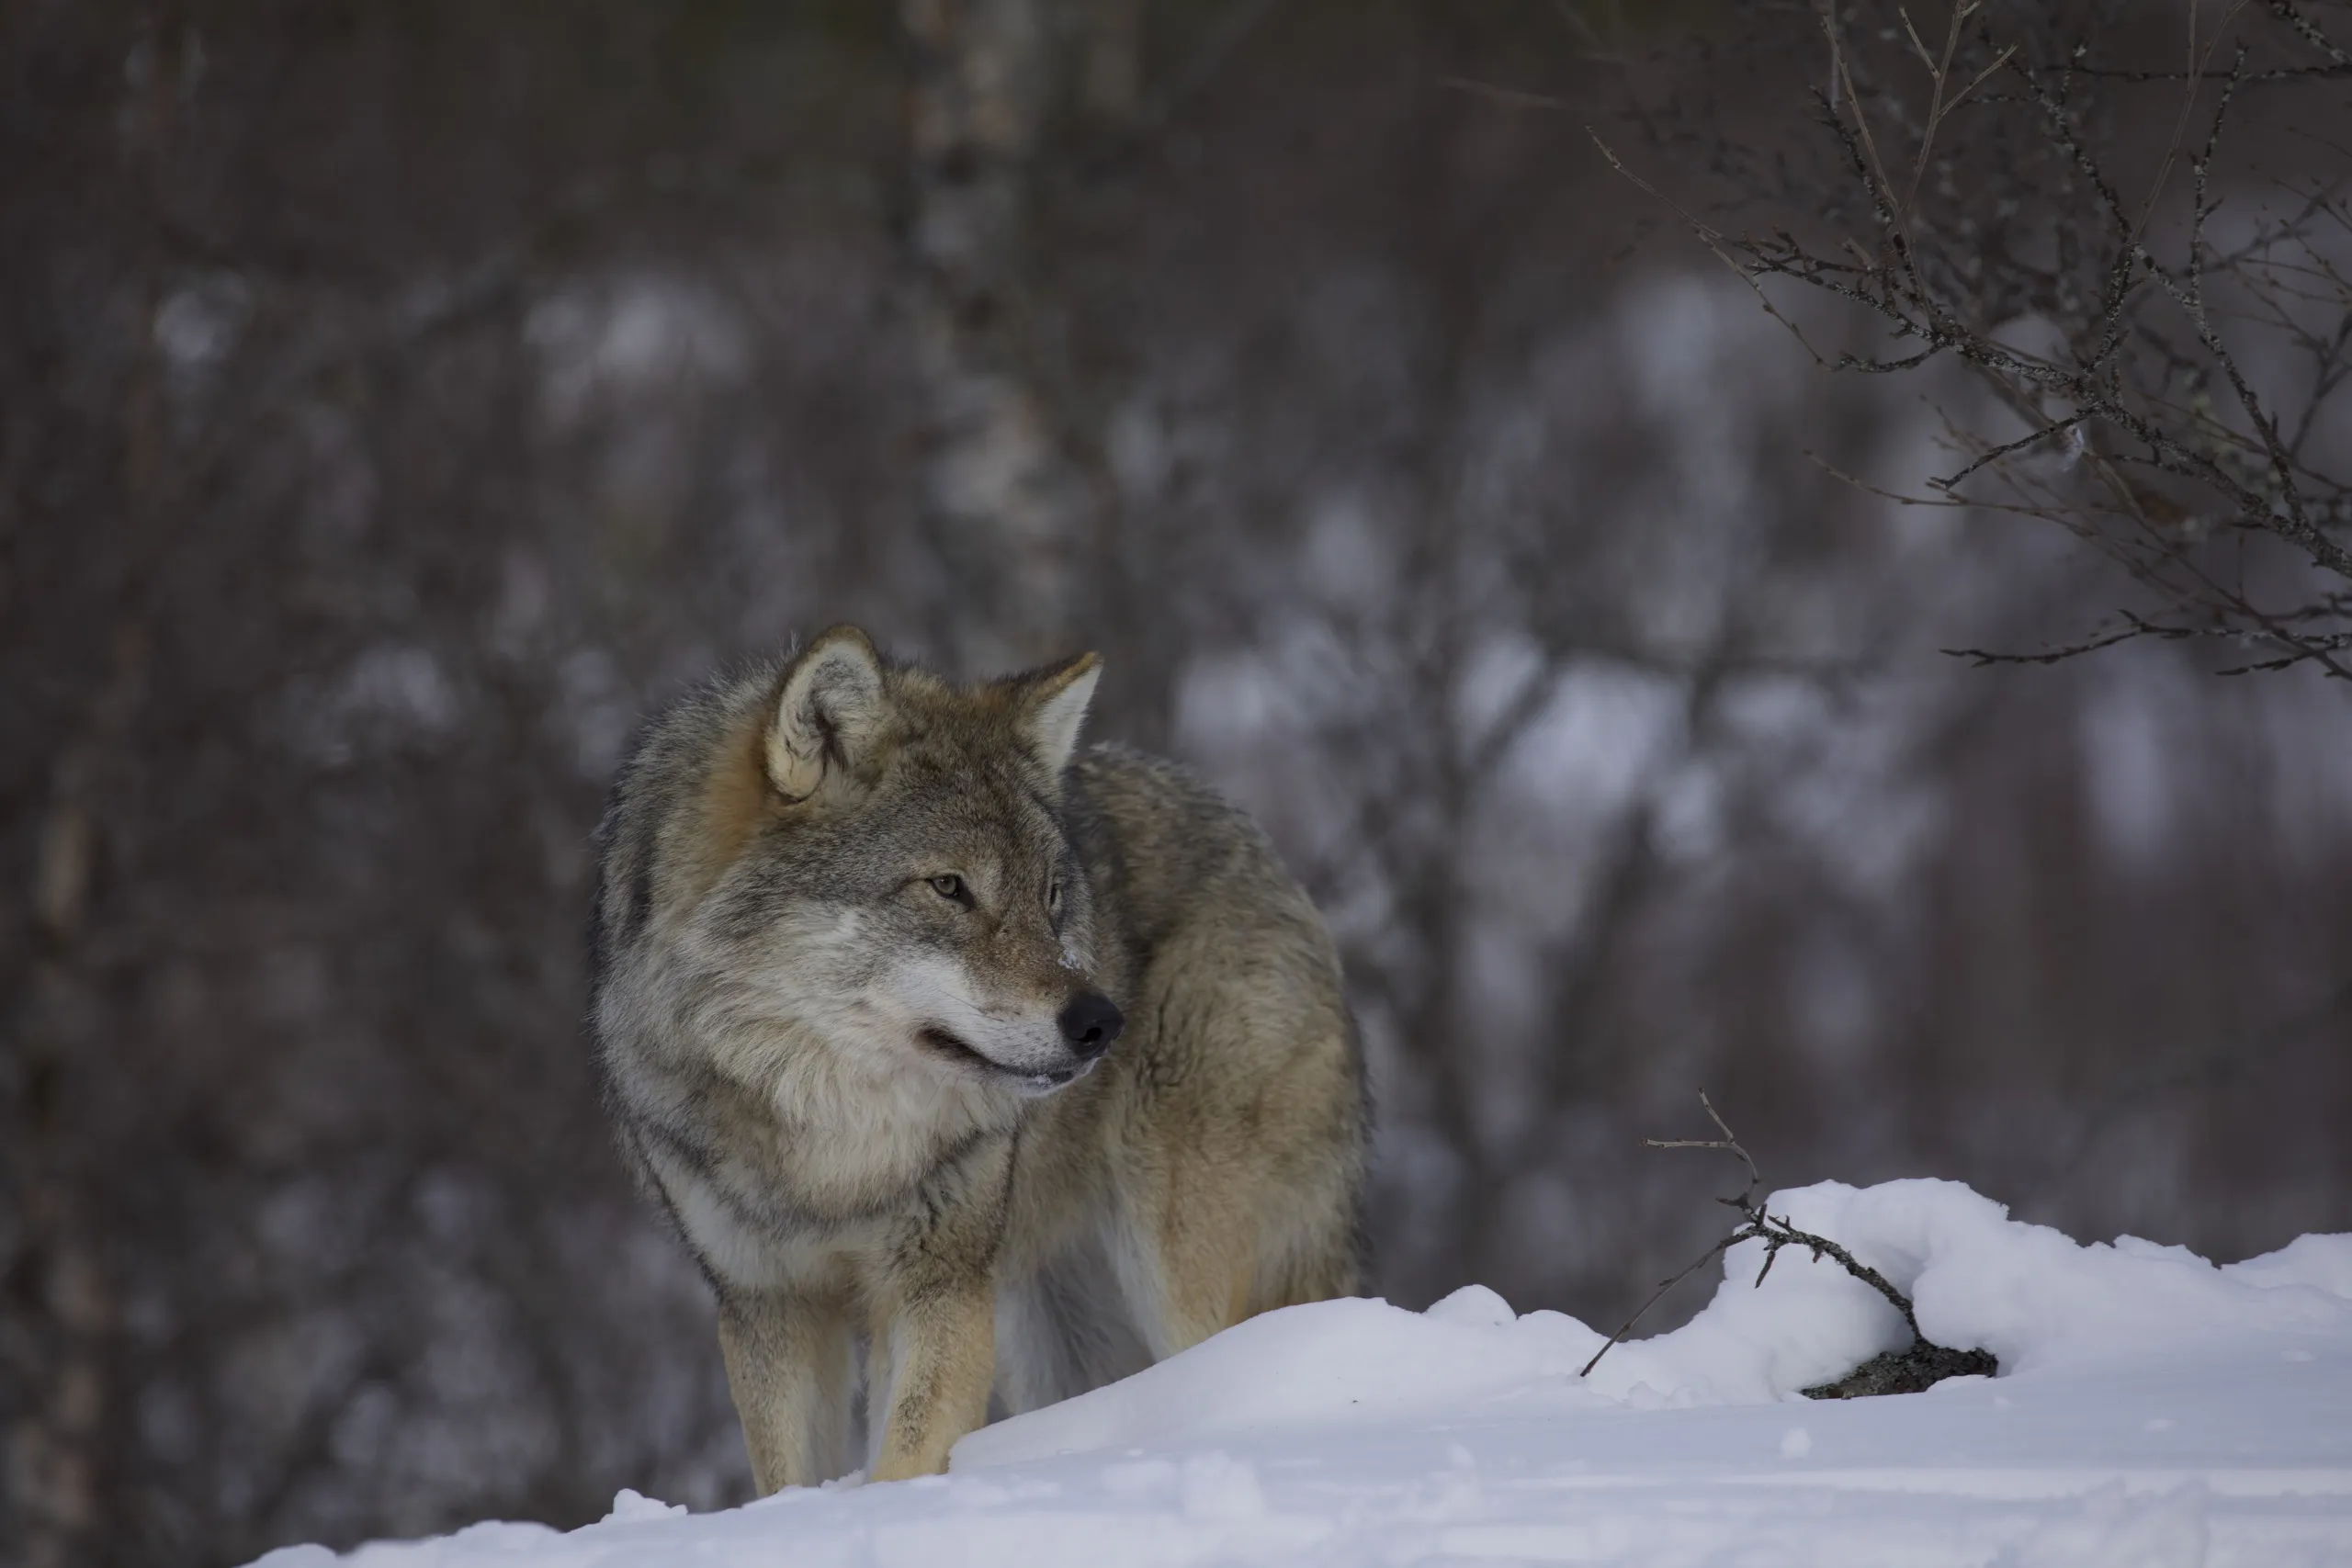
{"type": "Point", "coordinates": [907, 887]}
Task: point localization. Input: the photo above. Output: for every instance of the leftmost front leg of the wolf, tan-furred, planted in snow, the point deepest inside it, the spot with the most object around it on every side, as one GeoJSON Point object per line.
{"type": "Point", "coordinates": [789, 1369]}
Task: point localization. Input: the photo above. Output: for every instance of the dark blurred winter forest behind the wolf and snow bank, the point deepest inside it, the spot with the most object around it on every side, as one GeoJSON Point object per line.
{"type": "Point", "coordinates": [403, 396]}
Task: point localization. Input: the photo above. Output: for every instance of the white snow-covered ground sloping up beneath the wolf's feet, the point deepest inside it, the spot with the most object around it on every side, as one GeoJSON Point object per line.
{"type": "Point", "coordinates": [2153, 1412]}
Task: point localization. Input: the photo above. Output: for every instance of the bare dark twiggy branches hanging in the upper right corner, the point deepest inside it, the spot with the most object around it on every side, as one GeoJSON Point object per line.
{"type": "Point", "coordinates": [2149, 429]}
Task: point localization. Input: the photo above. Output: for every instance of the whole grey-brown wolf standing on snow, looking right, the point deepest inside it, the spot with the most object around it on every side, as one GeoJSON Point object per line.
{"type": "Point", "coordinates": [860, 939]}
